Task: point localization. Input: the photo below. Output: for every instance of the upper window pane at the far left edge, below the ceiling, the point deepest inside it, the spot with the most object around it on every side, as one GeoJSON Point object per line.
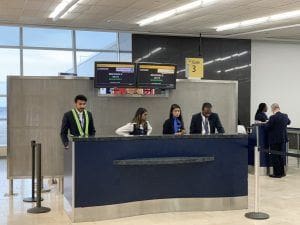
{"type": "Point", "coordinates": [9, 36]}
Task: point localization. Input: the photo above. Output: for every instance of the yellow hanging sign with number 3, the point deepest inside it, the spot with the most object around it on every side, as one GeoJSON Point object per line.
{"type": "Point", "coordinates": [194, 68]}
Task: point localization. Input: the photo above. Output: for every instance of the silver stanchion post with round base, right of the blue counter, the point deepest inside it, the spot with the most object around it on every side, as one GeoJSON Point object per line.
{"type": "Point", "coordinates": [257, 215]}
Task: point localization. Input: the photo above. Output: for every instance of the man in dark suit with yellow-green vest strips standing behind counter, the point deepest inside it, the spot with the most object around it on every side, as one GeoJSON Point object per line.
{"type": "Point", "coordinates": [78, 121]}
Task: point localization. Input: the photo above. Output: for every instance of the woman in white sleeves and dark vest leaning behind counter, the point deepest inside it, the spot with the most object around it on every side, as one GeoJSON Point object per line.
{"type": "Point", "coordinates": [138, 126]}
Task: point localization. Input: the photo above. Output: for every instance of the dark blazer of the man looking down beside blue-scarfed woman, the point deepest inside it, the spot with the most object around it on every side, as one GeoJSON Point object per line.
{"type": "Point", "coordinates": [214, 123]}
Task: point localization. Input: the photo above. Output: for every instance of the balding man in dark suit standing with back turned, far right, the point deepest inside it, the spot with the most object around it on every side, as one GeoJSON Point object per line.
{"type": "Point", "coordinates": [277, 134]}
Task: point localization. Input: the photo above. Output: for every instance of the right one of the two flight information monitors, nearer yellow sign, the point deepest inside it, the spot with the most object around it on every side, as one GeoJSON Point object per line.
{"type": "Point", "coordinates": [151, 75]}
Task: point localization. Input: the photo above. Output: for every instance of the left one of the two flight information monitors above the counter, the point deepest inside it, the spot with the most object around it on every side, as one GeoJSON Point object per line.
{"type": "Point", "coordinates": [112, 74]}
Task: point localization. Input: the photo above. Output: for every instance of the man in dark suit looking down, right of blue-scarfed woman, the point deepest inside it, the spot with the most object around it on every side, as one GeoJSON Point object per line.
{"type": "Point", "coordinates": [206, 122]}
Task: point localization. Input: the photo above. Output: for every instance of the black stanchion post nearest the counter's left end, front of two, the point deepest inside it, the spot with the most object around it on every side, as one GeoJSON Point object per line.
{"type": "Point", "coordinates": [39, 208]}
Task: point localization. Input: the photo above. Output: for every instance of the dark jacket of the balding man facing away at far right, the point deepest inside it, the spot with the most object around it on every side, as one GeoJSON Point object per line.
{"type": "Point", "coordinates": [276, 127]}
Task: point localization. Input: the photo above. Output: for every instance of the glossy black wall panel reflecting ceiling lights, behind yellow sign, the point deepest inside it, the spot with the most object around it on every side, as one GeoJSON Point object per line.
{"type": "Point", "coordinates": [224, 59]}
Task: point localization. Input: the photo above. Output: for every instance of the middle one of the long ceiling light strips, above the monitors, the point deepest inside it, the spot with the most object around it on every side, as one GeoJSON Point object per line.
{"type": "Point", "coordinates": [176, 11]}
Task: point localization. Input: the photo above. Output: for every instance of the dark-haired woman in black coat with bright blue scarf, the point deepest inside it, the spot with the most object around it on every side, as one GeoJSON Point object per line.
{"type": "Point", "coordinates": [175, 124]}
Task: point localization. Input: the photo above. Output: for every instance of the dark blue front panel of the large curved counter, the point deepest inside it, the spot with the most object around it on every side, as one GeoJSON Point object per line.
{"type": "Point", "coordinates": [98, 182]}
